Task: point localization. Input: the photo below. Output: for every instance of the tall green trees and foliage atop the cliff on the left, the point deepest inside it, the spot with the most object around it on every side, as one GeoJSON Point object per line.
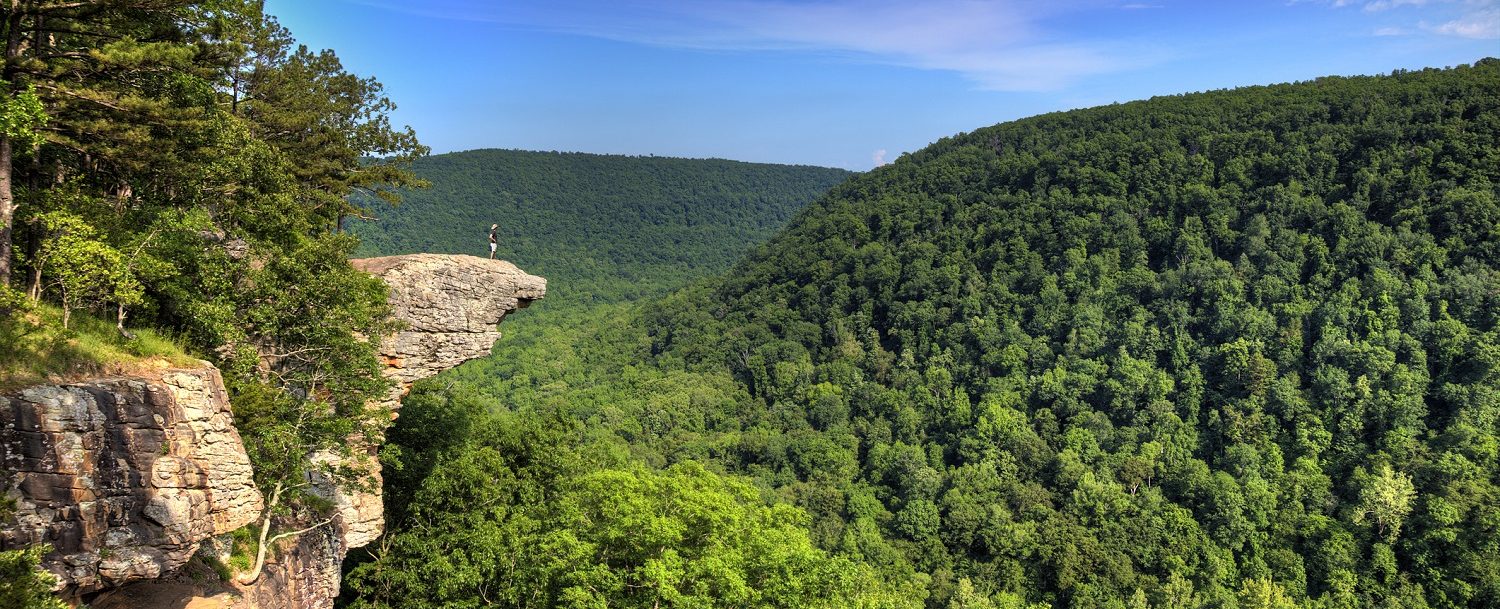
{"type": "Point", "coordinates": [193, 178]}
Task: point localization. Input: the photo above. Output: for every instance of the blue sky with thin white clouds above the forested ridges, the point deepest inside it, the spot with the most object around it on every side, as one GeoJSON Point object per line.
{"type": "Point", "coordinates": [841, 83]}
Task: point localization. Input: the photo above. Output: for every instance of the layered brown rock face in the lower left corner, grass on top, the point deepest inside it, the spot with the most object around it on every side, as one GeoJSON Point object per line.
{"type": "Point", "coordinates": [124, 476]}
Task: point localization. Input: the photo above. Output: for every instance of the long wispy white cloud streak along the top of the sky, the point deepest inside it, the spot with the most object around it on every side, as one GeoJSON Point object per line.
{"type": "Point", "coordinates": [997, 44]}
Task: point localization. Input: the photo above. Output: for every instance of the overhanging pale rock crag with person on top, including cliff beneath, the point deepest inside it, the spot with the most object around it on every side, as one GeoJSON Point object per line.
{"type": "Point", "coordinates": [451, 305]}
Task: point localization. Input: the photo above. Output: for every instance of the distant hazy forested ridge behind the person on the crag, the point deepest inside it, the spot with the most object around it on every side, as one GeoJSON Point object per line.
{"type": "Point", "coordinates": [601, 227]}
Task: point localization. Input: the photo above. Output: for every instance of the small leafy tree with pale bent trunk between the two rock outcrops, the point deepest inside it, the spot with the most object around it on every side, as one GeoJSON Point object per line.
{"type": "Point", "coordinates": [305, 382]}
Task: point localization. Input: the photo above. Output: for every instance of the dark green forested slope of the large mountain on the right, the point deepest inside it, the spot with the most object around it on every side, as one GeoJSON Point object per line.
{"type": "Point", "coordinates": [1231, 337]}
